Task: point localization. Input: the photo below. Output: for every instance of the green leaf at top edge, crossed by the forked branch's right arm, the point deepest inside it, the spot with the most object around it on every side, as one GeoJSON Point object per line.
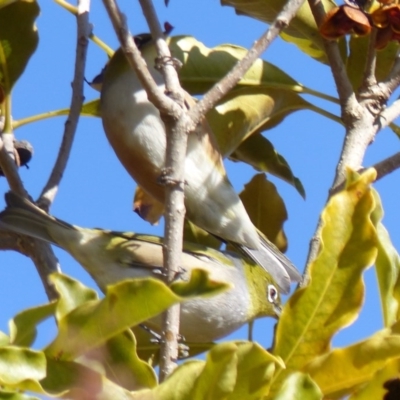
{"type": "Point", "coordinates": [302, 30]}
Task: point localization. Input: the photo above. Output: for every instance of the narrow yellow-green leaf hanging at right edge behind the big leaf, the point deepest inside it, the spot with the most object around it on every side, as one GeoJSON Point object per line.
{"type": "Point", "coordinates": [387, 268]}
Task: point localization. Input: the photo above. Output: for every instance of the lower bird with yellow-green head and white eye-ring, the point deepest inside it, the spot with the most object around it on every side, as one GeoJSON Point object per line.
{"type": "Point", "coordinates": [110, 257]}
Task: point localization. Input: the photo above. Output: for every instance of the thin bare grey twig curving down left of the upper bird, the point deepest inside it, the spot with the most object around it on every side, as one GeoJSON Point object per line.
{"type": "Point", "coordinates": [83, 32]}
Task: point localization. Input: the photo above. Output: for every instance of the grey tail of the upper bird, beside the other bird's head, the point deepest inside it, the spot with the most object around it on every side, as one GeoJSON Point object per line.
{"type": "Point", "coordinates": [275, 262]}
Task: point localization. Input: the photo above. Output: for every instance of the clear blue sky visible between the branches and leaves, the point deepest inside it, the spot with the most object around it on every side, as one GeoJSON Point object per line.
{"type": "Point", "coordinates": [97, 192]}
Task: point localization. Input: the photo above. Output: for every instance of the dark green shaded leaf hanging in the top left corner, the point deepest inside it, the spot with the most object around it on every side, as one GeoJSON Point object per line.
{"type": "Point", "coordinates": [18, 40]}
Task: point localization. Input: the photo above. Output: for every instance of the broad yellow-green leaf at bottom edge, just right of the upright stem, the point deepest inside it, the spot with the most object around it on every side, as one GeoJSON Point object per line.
{"type": "Point", "coordinates": [232, 371]}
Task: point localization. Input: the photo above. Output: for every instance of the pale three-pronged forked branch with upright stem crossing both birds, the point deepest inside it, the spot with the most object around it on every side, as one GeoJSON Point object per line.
{"type": "Point", "coordinates": [178, 126]}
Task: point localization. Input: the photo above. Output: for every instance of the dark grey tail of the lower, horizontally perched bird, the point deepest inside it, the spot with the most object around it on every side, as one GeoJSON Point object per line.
{"type": "Point", "coordinates": [23, 217]}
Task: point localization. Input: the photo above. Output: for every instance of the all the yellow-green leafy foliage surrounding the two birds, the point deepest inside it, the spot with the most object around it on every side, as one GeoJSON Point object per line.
{"type": "Point", "coordinates": [101, 351]}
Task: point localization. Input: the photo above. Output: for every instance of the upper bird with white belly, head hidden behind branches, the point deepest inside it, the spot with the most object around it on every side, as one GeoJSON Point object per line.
{"type": "Point", "coordinates": [137, 135]}
